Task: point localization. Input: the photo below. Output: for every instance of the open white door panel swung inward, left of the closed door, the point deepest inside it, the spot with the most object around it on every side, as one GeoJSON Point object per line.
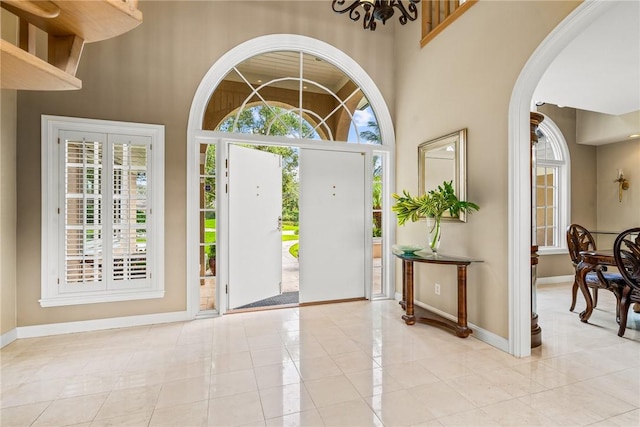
{"type": "Point", "coordinates": [255, 236]}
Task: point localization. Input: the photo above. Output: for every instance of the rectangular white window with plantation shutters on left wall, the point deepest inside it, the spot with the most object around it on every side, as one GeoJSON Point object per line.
{"type": "Point", "coordinates": [108, 214]}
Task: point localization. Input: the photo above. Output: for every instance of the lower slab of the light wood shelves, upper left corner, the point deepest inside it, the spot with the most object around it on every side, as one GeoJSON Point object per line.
{"type": "Point", "coordinates": [21, 70]}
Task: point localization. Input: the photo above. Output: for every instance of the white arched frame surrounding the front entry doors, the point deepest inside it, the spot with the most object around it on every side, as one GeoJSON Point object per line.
{"type": "Point", "coordinates": [195, 134]}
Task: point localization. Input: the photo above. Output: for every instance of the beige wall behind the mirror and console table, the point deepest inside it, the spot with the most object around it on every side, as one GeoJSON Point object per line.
{"type": "Point", "coordinates": [464, 79]}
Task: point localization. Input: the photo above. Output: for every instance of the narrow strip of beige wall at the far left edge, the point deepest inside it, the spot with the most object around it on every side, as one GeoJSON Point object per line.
{"type": "Point", "coordinates": [8, 219]}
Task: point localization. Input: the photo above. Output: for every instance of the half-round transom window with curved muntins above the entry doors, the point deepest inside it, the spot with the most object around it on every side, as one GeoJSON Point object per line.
{"type": "Point", "coordinates": [298, 92]}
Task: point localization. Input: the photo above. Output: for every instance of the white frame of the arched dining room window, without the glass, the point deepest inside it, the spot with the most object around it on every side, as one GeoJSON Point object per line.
{"type": "Point", "coordinates": [562, 167]}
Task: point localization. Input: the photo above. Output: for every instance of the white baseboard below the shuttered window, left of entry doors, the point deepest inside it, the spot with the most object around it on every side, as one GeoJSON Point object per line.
{"type": "Point", "coordinates": [100, 324]}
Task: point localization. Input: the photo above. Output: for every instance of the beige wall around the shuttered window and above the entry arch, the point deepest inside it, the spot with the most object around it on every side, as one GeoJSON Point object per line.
{"type": "Point", "coordinates": [150, 75]}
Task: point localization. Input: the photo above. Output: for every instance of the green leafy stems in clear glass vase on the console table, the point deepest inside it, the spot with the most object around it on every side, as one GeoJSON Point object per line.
{"type": "Point", "coordinates": [431, 205]}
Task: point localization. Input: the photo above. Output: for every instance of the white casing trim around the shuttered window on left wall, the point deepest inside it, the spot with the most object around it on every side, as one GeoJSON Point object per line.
{"type": "Point", "coordinates": [52, 269]}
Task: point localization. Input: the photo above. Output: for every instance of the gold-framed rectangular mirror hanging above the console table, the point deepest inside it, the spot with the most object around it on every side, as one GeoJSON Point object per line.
{"type": "Point", "coordinates": [444, 159]}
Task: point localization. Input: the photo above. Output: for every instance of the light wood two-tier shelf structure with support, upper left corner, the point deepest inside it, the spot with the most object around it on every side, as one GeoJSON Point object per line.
{"type": "Point", "coordinates": [69, 24]}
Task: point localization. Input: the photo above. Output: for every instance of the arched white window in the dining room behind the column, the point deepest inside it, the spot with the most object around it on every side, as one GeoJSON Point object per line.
{"type": "Point", "coordinates": [553, 189]}
